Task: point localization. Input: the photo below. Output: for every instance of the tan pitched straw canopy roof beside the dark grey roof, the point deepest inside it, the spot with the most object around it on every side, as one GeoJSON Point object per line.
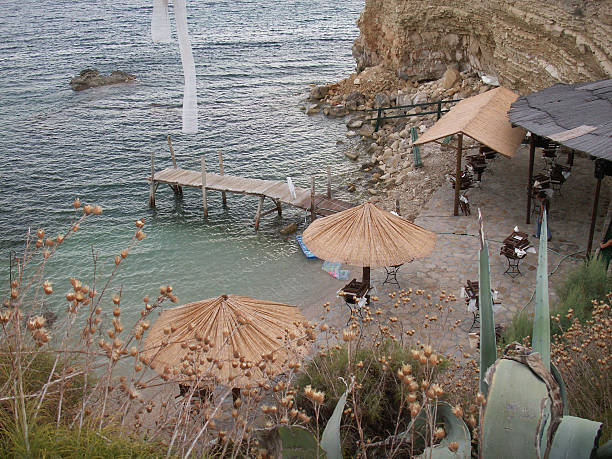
{"type": "Point", "coordinates": [484, 118]}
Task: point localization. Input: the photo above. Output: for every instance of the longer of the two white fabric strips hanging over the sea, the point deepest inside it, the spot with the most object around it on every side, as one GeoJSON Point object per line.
{"type": "Point", "coordinates": [190, 106]}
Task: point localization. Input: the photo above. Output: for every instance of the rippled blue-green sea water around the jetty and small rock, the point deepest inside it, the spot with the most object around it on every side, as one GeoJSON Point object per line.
{"type": "Point", "coordinates": [254, 62]}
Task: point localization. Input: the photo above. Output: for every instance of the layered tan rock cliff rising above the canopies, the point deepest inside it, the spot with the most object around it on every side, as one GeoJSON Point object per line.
{"type": "Point", "coordinates": [526, 44]}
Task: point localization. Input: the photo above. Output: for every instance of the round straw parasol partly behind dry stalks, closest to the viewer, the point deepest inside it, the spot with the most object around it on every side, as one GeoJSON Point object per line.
{"type": "Point", "coordinates": [234, 340]}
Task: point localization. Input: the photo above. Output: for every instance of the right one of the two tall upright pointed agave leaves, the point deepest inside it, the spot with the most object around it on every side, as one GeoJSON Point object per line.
{"type": "Point", "coordinates": [541, 323]}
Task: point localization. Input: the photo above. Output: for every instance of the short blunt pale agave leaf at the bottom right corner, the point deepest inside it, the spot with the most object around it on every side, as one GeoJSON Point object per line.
{"type": "Point", "coordinates": [575, 438]}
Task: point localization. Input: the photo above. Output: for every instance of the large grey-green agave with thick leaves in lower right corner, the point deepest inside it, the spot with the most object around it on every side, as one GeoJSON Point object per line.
{"type": "Point", "coordinates": [526, 410]}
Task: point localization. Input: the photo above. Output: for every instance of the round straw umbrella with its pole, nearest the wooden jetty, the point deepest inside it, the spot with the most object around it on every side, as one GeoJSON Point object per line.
{"type": "Point", "coordinates": [369, 237]}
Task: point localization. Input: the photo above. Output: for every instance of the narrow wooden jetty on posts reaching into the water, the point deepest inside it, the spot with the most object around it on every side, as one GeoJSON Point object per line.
{"type": "Point", "coordinates": [276, 190]}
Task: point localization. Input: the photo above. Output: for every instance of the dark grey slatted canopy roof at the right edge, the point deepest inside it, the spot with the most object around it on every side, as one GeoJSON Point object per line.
{"type": "Point", "coordinates": [578, 116]}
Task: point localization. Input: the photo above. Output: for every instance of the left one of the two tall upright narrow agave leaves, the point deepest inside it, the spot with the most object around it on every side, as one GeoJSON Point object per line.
{"type": "Point", "coordinates": [488, 348]}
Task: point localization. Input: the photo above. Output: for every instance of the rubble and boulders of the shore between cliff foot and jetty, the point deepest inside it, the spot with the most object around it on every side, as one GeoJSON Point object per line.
{"type": "Point", "coordinates": [386, 157]}
